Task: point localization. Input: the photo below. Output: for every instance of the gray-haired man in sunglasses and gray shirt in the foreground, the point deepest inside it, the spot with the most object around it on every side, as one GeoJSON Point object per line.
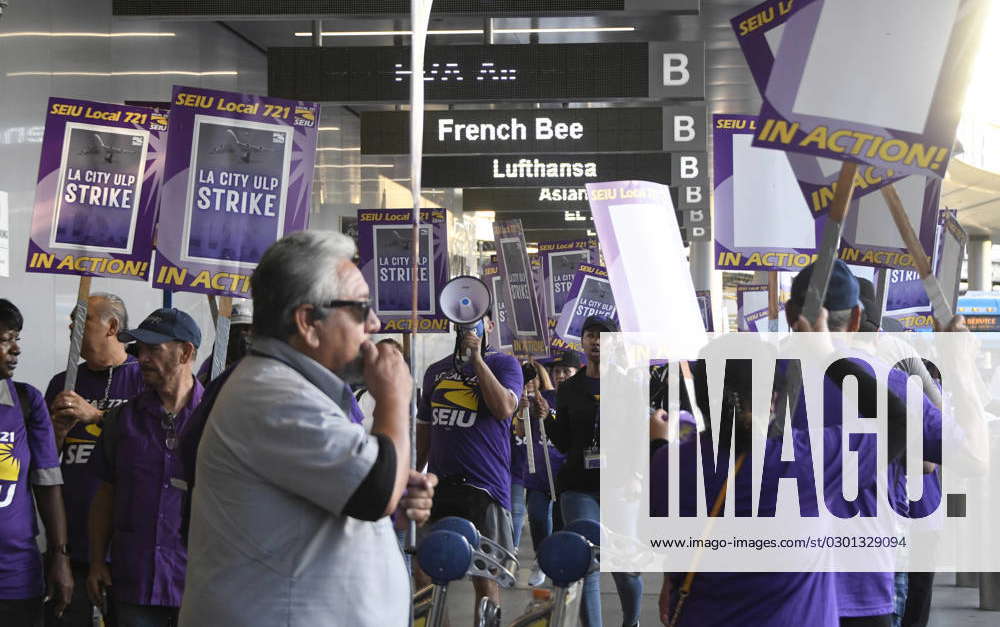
{"type": "Point", "coordinates": [289, 516]}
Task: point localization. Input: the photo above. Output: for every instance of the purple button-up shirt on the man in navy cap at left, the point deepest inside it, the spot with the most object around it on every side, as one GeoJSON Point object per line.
{"type": "Point", "coordinates": [148, 556]}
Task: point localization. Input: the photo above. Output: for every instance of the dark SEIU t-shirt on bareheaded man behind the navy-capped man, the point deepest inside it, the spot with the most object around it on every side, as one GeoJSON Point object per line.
{"type": "Point", "coordinates": [104, 390]}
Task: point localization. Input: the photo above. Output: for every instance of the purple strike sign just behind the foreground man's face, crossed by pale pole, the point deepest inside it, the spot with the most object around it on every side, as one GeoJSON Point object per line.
{"type": "Point", "coordinates": [384, 240]}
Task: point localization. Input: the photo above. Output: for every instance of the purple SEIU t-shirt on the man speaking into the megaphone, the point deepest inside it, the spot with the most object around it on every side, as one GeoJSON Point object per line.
{"type": "Point", "coordinates": [466, 438]}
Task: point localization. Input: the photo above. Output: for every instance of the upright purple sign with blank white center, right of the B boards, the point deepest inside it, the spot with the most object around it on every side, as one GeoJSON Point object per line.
{"type": "Point", "coordinates": [761, 220]}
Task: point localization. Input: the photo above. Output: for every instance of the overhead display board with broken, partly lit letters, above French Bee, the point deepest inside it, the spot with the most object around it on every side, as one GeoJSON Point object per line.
{"type": "Point", "coordinates": [562, 72]}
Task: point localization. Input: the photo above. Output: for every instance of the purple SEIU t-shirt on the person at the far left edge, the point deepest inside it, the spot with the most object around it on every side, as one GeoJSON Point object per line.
{"type": "Point", "coordinates": [25, 450]}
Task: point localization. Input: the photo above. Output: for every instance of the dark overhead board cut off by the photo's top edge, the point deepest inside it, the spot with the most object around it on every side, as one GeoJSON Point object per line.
{"type": "Point", "coordinates": [183, 8]}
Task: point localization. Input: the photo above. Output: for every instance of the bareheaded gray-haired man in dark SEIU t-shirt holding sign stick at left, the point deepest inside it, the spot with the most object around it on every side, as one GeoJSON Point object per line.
{"type": "Point", "coordinates": [107, 378]}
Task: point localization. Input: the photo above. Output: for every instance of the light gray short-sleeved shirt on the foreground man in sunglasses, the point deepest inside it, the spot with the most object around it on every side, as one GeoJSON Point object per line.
{"type": "Point", "coordinates": [269, 544]}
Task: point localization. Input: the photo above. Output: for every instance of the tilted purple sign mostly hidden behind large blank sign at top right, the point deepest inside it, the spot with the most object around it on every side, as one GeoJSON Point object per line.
{"type": "Point", "coordinates": [759, 31]}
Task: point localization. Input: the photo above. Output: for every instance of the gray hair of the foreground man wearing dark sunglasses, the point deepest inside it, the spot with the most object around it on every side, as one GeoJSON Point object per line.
{"type": "Point", "coordinates": [298, 269]}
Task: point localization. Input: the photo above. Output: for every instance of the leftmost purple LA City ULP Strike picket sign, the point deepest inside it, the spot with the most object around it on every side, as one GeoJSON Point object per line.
{"type": "Point", "coordinates": [99, 179]}
